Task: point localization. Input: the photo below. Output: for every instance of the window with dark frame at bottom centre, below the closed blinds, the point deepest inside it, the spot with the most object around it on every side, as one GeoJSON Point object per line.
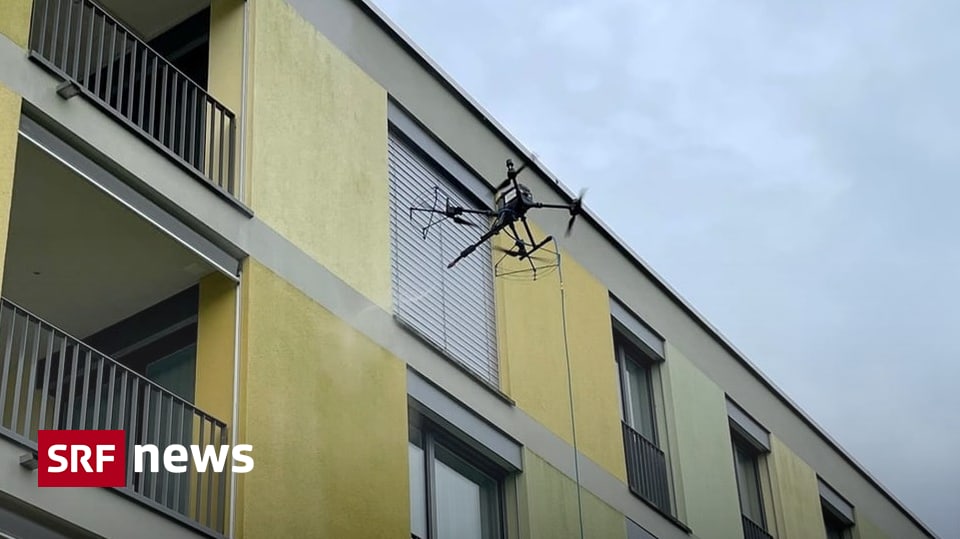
{"type": "Point", "coordinates": [452, 495]}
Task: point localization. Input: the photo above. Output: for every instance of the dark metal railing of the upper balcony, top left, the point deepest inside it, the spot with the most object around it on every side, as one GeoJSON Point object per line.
{"type": "Point", "coordinates": [111, 66]}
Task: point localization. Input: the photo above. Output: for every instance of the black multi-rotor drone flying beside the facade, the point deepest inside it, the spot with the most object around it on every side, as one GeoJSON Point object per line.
{"type": "Point", "coordinates": [513, 201]}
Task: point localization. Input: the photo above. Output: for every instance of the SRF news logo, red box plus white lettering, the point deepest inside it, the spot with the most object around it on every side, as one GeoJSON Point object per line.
{"type": "Point", "coordinates": [98, 458]}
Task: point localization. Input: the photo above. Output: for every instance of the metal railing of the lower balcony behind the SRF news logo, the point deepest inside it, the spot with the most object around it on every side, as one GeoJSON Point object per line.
{"type": "Point", "coordinates": [50, 380]}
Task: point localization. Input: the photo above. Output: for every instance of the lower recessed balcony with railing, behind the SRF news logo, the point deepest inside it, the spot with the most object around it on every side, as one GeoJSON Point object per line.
{"type": "Point", "coordinates": [101, 323]}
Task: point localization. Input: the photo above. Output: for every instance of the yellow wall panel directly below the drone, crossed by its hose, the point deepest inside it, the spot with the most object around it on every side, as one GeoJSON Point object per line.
{"type": "Point", "coordinates": [533, 358]}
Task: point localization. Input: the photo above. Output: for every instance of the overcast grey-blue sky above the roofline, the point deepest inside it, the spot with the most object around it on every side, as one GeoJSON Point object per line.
{"type": "Point", "coordinates": [792, 168]}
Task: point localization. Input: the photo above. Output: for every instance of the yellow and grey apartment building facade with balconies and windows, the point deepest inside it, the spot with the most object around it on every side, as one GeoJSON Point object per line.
{"type": "Point", "coordinates": [206, 238]}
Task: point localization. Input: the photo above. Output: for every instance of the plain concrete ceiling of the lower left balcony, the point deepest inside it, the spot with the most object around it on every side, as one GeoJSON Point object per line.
{"type": "Point", "coordinates": [78, 258]}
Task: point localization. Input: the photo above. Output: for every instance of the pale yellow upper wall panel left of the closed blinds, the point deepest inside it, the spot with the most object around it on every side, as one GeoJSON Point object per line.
{"type": "Point", "coordinates": [319, 150]}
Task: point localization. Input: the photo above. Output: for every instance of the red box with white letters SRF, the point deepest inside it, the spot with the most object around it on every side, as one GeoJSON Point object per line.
{"type": "Point", "coordinates": [81, 458]}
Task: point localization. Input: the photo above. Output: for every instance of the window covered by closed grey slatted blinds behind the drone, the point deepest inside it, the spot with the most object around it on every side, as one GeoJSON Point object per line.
{"type": "Point", "coordinates": [451, 308]}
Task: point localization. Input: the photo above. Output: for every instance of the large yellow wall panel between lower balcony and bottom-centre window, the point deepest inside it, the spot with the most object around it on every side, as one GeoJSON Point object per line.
{"type": "Point", "coordinates": [326, 412]}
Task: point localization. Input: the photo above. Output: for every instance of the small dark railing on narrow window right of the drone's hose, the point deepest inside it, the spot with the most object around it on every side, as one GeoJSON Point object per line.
{"type": "Point", "coordinates": [646, 469]}
